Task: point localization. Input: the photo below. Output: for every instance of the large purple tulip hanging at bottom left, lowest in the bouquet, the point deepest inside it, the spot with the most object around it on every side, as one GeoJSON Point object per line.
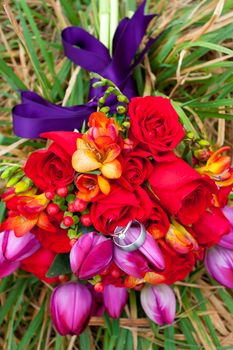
{"type": "Point", "coordinates": [71, 306]}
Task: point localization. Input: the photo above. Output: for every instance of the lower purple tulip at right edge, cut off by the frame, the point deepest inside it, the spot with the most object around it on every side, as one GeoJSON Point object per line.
{"type": "Point", "coordinates": [219, 264]}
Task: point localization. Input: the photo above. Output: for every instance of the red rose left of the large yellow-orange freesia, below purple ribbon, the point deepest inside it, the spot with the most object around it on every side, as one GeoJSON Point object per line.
{"type": "Point", "coordinates": [51, 168]}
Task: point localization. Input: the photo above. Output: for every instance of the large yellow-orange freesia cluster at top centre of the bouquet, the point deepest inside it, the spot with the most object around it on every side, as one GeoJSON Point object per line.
{"type": "Point", "coordinates": [98, 148]}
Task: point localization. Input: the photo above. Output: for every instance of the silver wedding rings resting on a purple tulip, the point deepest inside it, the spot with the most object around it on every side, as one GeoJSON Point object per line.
{"type": "Point", "coordinates": [120, 234]}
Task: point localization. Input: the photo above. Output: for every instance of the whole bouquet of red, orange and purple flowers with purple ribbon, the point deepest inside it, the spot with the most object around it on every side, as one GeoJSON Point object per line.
{"type": "Point", "coordinates": [123, 196]}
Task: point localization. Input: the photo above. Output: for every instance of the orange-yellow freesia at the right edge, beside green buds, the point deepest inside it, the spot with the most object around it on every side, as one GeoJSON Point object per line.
{"type": "Point", "coordinates": [218, 168]}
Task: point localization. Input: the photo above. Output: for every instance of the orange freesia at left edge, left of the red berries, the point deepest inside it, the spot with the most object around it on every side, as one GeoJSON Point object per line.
{"type": "Point", "coordinates": [25, 212]}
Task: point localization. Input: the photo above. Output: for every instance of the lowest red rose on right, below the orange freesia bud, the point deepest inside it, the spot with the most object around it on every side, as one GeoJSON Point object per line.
{"type": "Point", "coordinates": [177, 266]}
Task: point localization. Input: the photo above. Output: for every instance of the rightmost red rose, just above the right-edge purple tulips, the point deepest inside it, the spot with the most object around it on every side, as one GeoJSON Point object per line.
{"type": "Point", "coordinates": [211, 226]}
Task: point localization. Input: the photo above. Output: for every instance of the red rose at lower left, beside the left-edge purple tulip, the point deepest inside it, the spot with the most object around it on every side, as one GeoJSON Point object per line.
{"type": "Point", "coordinates": [39, 264]}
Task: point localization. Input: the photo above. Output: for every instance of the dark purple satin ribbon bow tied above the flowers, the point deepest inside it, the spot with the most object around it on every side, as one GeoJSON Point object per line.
{"type": "Point", "coordinates": [35, 115]}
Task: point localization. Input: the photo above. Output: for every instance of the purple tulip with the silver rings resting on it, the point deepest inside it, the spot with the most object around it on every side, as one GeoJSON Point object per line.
{"type": "Point", "coordinates": [138, 262]}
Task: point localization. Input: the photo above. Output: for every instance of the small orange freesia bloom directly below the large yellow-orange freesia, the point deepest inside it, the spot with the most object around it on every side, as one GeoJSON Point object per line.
{"type": "Point", "coordinates": [90, 185]}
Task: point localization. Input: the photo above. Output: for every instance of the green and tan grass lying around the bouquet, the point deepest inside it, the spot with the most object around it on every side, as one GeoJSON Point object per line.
{"type": "Point", "coordinates": [192, 64]}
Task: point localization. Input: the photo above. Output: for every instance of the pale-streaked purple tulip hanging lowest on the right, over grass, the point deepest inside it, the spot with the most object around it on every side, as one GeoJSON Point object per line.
{"type": "Point", "coordinates": [159, 303]}
